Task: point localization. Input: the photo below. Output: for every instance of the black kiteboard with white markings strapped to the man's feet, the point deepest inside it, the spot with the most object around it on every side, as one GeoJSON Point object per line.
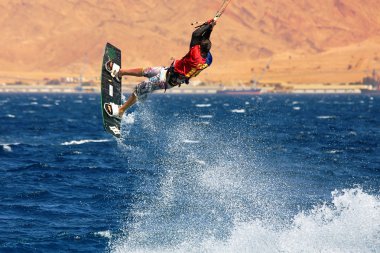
{"type": "Point", "coordinates": [110, 90]}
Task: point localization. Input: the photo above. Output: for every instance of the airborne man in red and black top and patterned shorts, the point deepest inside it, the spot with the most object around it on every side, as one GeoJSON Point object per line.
{"type": "Point", "coordinates": [197, 59]}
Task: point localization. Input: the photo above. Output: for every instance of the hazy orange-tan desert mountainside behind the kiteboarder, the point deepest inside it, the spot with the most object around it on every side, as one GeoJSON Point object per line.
{"type": "Point", "coordinates": [307, 41]}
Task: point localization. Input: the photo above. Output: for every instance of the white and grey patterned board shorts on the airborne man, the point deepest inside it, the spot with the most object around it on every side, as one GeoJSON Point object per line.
{"type": "Point", "coordinates": [156, 81]}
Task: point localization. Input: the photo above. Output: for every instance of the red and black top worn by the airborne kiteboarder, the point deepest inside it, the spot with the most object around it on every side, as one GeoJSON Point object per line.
{"type": "Point", "coordinates": [193, 62]}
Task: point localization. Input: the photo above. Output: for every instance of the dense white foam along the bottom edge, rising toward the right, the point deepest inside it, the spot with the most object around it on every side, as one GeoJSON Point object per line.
{"type": "Point", "coordinates": [349, 223]}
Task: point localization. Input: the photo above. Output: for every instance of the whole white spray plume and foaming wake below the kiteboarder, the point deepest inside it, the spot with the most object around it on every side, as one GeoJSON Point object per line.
{"type": "Point", "coordinates": [217, 200]}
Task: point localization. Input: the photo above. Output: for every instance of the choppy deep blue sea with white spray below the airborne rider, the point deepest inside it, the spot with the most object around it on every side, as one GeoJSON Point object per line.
{"type": "Point", "coordinates": [193, 173]}
